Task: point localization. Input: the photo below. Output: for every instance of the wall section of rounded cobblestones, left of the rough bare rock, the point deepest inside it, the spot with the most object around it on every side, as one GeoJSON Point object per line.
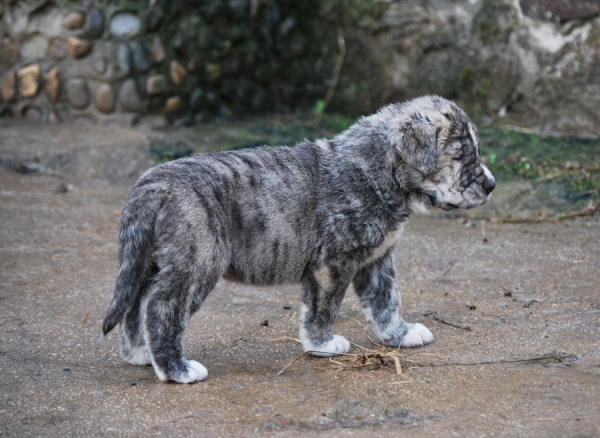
{"type": "Point", "coordinates": [117, 62]}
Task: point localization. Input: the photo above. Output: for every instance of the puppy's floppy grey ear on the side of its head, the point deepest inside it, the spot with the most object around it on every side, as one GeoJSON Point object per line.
{"type": "Point", "coordinates": [416, 142]}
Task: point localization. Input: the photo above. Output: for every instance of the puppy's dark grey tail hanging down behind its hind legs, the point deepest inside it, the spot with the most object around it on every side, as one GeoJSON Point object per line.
{"type": "Point", "coordinates": [136, 239]}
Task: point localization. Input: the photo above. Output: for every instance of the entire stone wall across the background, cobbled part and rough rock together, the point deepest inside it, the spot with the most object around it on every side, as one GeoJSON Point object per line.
{"type": "Point", "coordinates": [531, 62]}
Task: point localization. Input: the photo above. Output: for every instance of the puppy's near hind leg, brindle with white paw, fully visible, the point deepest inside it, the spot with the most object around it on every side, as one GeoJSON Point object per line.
{"type": "Point", "coordinates": [189, 268]}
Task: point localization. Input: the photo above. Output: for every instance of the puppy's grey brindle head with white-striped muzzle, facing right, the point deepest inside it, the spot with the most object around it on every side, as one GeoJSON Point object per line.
{"type": "Point", "coordinates": [437, 140]}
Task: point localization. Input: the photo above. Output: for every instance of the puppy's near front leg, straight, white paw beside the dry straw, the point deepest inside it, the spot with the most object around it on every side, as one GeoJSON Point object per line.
{"type": "Point", "coordinates": [321, 301]}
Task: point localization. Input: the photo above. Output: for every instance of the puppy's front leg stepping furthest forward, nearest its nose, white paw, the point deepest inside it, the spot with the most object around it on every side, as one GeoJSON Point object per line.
{"type": "Point", "coordinates": [376, 287]}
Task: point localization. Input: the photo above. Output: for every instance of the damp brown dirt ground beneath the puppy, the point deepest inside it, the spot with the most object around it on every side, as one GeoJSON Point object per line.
{"type": "Point", "coordinates": [527, 291]}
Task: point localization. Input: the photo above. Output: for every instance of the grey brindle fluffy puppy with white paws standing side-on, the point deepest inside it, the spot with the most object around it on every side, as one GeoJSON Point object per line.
{"type": "Point", "coordinates": [324, 214]}
